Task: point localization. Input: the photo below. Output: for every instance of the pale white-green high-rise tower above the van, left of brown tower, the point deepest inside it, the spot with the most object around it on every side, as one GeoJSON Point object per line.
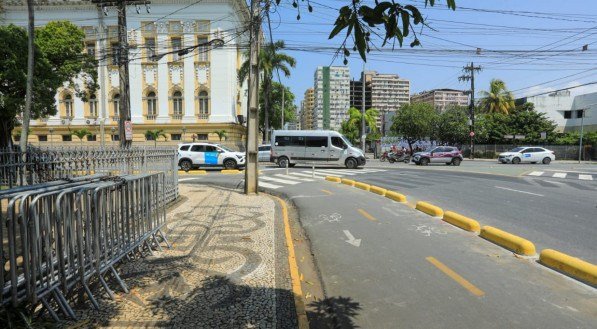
{"type": "Point", "coordinates": [332, 97]}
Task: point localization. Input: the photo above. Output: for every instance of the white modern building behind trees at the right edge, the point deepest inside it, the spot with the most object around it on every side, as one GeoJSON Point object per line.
{"type": "Point", "coordinates": [567, 111]}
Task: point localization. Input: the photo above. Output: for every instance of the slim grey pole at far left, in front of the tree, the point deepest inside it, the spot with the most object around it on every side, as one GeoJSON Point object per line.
{"type": "Point", "coordinates": [30, 67]}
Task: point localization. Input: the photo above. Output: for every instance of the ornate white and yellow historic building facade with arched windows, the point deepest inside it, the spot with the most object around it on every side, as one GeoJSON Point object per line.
{"type": "Point", "coordinates": [189, 96]}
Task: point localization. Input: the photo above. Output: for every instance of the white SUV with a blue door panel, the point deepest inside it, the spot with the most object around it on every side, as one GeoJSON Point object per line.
{"type": "Point", "coordinates": [192, 155]}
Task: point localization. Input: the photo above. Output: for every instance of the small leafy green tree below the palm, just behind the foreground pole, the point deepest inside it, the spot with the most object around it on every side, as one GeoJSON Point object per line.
{"type": "Point", "coordinates": [276, 106]}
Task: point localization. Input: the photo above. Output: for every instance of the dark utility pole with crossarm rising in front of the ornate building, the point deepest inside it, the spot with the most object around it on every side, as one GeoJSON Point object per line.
{"type": "Point", "coordinates": [123, 64]}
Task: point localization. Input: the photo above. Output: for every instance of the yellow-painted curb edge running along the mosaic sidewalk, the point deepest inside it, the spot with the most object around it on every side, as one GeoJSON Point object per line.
{"type": "Point", "coordinates": [299, 304]}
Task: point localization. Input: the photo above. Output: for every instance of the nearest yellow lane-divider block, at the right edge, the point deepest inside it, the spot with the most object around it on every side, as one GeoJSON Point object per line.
{"type": "Point", "coordinates": [571, 266]}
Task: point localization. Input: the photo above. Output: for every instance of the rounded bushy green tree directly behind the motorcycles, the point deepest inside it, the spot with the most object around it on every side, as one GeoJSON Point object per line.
{"type": "Point", "coordinates": [414, 122]}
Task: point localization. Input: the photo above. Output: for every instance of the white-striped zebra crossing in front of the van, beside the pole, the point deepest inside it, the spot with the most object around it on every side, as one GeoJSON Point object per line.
{"type": "Point", "coordinates": [276, 181]}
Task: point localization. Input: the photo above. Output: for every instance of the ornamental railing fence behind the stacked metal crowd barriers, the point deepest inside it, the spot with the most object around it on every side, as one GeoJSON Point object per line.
{"type": "Point", "coordinates": [39, 165]}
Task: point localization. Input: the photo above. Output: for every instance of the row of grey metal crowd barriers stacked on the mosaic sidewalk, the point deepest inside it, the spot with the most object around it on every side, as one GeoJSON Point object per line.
{"type": "Point", "coordinates": [59, 236]}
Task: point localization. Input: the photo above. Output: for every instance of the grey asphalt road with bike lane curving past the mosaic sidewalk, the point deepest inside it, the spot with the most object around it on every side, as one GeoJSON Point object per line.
{"type": "Point", "coordinates": [385, 265]}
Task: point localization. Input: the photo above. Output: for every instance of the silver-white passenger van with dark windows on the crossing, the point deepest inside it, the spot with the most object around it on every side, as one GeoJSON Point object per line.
{"type": "Point", "coordinates": [290, 147]}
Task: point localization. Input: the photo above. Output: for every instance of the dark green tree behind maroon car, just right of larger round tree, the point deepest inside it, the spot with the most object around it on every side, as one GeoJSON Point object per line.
{"type": "Point", "coordinates": [452, 125]}
